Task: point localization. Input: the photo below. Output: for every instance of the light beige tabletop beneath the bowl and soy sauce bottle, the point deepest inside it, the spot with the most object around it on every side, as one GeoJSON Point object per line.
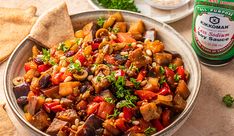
{"type": "Point", "coordinates": [209, 118]}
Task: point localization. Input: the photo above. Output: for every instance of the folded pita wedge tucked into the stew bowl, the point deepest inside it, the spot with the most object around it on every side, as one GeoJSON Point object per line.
{"type": "Point", "coordinates": [53, 27]}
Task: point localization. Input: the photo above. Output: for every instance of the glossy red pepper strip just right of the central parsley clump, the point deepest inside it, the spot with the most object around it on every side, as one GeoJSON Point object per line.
{"type": "Point", "coordinates": [145, 95]}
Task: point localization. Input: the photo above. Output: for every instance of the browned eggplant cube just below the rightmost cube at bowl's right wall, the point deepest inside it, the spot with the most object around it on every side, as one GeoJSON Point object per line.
{"type": "Point", "coordinates": [179, 103]}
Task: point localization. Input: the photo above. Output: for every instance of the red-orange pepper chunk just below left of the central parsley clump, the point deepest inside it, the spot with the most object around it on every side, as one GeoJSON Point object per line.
{"type": "Point", "coordinates": [105, 109]}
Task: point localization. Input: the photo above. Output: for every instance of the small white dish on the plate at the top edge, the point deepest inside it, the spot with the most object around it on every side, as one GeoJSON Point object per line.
{"type": "Point", "coordinates": [167, 4]}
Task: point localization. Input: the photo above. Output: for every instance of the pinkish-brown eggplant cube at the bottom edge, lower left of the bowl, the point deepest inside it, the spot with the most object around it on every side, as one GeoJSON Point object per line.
{"type": "Point", "coordinates": [55, 126]}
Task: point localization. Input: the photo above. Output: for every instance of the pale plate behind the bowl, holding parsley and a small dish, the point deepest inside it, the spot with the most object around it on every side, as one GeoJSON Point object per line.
{"type": "Point", "coordinates": [166, 16]}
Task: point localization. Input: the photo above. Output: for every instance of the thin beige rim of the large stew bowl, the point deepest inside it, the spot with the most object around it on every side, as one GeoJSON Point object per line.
{"type": "Point", "coordinates": [177, 121]}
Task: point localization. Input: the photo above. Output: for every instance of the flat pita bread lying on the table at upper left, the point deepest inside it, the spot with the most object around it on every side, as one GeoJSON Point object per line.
{"type": "Point", "coordinates": [15, 26]}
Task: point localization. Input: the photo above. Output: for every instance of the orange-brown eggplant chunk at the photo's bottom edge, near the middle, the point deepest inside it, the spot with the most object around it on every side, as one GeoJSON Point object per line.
{"type": "Point", "coordinates": [109, 126]}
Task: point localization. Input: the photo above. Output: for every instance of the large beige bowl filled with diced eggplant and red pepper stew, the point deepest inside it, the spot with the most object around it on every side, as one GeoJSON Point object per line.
{"type": "Point", "coordinates": [122, 74]}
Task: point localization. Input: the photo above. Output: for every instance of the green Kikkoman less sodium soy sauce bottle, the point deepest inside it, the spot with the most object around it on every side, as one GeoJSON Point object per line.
{"type": "Point", "coordinates": [213, 31]}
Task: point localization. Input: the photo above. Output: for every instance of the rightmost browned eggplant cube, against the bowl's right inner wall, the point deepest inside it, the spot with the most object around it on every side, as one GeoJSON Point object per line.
{"type": "Point", "coordinates": [182, 89]}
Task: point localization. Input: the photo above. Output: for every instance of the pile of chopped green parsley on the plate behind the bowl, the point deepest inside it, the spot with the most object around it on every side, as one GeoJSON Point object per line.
{"type": "Point", "coordinates": [119, 4]}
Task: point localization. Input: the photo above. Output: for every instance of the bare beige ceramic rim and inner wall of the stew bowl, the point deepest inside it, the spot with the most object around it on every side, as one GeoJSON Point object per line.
{"type": "Point", "coordinates": [172, 40]}
